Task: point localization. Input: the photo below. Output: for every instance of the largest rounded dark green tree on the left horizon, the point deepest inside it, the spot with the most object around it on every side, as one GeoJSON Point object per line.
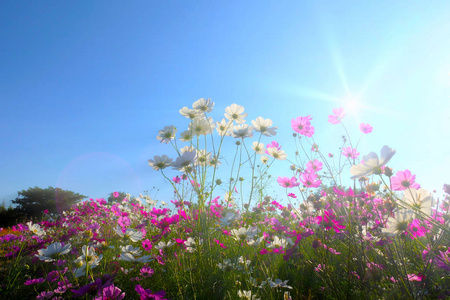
{"type": "Point", "coordinates": [34, 201]}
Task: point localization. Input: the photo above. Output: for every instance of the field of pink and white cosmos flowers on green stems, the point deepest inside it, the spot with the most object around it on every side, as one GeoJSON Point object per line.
{"type": "Point", "coordinates": [225, 237]}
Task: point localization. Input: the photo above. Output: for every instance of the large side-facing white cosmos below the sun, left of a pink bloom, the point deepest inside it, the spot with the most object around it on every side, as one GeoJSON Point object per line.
{"type": "Point", "coordinates": [371, 164]}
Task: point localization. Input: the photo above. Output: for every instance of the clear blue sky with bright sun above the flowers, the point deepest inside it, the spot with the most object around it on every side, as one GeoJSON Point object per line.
{"type": "Point", "coordinates": [86, 85]}
